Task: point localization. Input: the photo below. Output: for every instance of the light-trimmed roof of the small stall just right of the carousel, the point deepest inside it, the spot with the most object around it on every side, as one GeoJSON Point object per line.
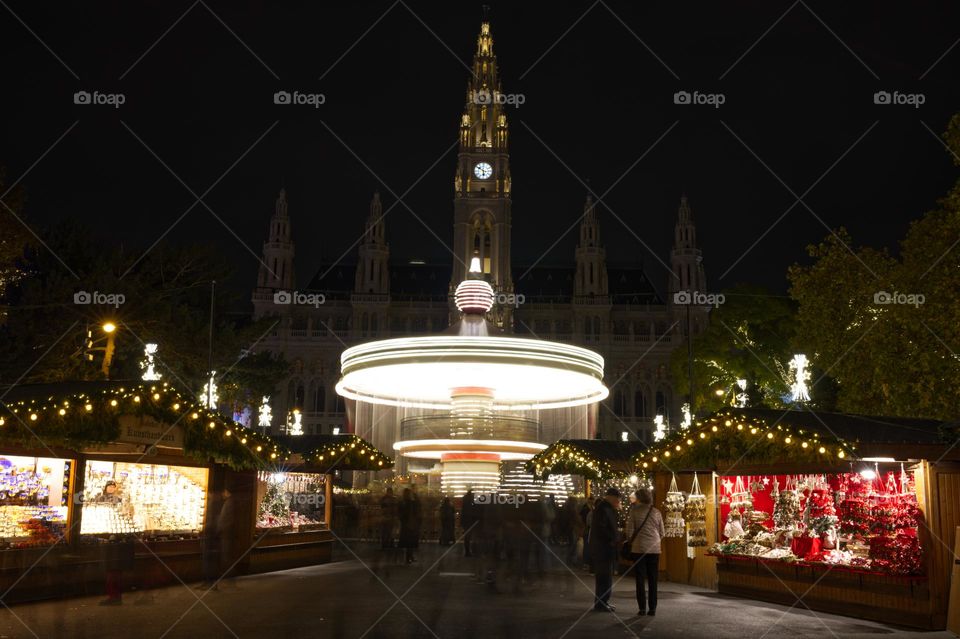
{"type": "Point", "coordinates": [591, 458]}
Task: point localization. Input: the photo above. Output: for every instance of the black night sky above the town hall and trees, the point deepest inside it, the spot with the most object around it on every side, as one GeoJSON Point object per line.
{"type": "Point", "coordinates": [596, 95]}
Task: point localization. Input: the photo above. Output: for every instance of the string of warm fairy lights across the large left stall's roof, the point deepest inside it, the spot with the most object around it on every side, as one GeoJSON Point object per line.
{"type": "Point", "coordinates": [38, 413]}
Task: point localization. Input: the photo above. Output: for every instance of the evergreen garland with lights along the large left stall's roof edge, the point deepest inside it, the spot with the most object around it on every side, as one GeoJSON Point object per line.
{"type": "Point", "coordinates": [76, 420]}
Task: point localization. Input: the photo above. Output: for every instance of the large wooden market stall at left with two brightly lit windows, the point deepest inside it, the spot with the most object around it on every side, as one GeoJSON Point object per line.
{"type": "Point", "coordinates": [111, 472]}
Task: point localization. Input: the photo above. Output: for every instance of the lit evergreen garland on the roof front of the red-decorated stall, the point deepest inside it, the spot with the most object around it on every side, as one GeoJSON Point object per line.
{"type": "Point", "coordinates": [726, 437]}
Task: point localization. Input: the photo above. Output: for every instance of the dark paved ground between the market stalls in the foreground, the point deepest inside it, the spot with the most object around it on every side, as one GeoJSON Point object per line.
{"type": "Point", "coordinates": [438, 597]}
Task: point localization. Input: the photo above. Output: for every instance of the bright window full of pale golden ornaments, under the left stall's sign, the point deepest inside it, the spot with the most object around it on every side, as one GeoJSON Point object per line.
{"type": "Point", "coordinates": [149, 499]}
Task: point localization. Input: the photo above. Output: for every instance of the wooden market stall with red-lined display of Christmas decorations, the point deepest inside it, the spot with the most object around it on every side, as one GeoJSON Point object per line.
{"type": "Point", "coordinates": [847, 511]}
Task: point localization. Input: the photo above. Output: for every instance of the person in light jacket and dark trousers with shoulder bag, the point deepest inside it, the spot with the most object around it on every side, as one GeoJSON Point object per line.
{"type": "Point", "coordinates": [645, 530]}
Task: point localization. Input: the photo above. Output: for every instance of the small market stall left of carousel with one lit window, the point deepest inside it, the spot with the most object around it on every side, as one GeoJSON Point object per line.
{"type": "Point", "coordinates": [295, 501]}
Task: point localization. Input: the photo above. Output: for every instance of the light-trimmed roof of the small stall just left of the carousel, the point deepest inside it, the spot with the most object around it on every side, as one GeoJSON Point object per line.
{"type": "Point", "coordinates": [327, 453]}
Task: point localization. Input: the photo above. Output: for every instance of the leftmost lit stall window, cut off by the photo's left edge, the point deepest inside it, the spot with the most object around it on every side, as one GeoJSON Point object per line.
{"type": "Point", "coordinates": [33, 500]}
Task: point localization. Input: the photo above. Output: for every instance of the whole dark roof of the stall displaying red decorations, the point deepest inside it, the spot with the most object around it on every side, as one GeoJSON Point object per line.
{"type": "Point", "coordinates": [800, 438]}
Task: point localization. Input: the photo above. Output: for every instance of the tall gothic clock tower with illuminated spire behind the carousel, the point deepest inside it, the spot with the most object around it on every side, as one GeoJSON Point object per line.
{"type": "Point", "coordinates": [481, 224]}
